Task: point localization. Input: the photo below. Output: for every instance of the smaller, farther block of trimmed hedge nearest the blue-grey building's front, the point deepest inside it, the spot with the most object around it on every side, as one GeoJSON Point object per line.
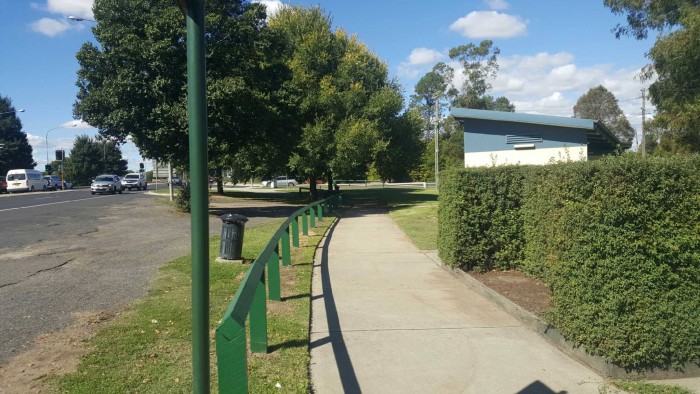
{"type": "Point", "coordinates": [479, 224]}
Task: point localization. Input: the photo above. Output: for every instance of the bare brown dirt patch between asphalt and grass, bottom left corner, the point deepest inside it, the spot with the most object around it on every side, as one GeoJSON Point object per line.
{"type": "Point", "coordinates": [56, 353]}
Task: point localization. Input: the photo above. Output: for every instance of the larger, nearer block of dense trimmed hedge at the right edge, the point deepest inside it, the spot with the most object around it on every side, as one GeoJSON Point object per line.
{"type": "Point", "coordinates": [618, 242]}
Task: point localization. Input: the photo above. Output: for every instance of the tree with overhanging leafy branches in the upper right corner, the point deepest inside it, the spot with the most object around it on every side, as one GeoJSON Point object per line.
{"type": "Point", "coordinates": [674, 59]}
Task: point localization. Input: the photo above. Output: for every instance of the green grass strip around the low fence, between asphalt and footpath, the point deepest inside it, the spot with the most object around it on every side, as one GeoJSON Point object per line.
{"type": "Point", "coordinates": [147, 349]}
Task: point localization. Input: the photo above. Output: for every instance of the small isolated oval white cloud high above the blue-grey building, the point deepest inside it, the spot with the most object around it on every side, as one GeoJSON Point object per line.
{"type": "Point", "coordinates": [489, 24]}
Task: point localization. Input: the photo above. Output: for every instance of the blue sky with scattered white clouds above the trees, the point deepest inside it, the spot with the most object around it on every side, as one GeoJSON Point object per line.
{"type": "Point", "coordinates": [552, 51]}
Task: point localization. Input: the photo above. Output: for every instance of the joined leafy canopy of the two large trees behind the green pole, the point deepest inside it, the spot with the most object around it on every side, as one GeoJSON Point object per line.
{"type": "Point", "coordinates": [288, 93]}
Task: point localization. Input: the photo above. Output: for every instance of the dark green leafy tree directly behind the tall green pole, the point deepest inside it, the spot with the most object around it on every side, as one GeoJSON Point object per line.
{"type": "Point", "coordinates": [133, 81]}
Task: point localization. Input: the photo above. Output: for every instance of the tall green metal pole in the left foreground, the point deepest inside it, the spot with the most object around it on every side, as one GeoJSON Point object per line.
{"type": "Point", "coordinates": [197, 115]}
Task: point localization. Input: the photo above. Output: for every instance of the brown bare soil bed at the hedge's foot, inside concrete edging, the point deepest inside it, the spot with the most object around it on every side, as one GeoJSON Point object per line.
{"type": "Point", "coordinates": [527, 292]}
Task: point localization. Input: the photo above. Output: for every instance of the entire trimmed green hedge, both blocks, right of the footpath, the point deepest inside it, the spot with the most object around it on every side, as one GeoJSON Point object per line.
{"type": "Point", "coordinates": [617, 240]}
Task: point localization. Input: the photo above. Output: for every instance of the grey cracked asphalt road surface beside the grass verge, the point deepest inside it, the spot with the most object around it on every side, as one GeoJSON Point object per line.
{"type": "Point", "coordinates": [68, 252]}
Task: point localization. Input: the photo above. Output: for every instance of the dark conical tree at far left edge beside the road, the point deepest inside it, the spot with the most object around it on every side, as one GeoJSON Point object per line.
{"type": "Point", "coordinates": [15, 151]}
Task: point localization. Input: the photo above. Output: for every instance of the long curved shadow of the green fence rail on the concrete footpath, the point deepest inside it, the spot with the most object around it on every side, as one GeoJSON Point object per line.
{"type": "Point", "coordinates": [335, 336]}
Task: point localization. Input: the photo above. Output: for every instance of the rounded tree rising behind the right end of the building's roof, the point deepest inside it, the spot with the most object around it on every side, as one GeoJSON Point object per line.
{"type": "Point", "coordinates": [600, 104]}
